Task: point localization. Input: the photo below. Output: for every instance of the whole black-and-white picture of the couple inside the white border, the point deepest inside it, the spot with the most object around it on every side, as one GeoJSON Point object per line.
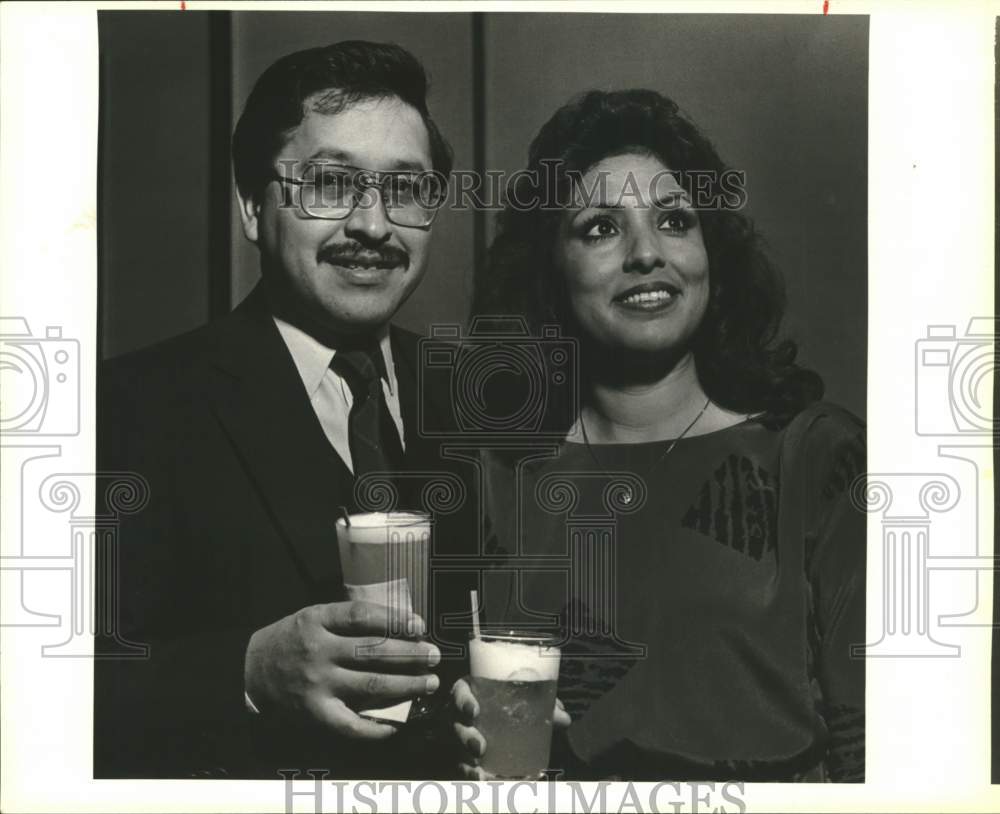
{"type": "Point", "coordinates": [611, 238]}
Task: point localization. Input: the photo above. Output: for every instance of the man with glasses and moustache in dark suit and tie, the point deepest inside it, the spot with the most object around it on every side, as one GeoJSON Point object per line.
{"type": "Point", "coordinates": [252, 433]}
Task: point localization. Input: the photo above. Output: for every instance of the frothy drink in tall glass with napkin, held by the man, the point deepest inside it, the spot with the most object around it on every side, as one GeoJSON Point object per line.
{"type": "Point", "coordinates": [384, 558]}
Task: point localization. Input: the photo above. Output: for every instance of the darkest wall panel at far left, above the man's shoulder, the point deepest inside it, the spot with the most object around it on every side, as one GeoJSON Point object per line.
{"type": "Point", "coordinates": [155, 166]}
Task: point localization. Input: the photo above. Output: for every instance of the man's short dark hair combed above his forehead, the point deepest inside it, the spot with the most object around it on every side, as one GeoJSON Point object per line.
{"type": "Point", "coordinates": [330, 79]}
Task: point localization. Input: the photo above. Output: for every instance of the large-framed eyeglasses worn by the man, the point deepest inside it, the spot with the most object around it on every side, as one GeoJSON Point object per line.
{"type": "Point", "coordinates": [332, 192]}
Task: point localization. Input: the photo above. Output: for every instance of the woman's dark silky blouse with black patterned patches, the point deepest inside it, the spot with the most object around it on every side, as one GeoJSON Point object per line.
{"type": "Point", "coordinates": [708, 601]}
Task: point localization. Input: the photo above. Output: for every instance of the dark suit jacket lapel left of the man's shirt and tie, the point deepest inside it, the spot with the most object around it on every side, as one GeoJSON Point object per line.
{"type": "Point", "coordinates": [259, 398]}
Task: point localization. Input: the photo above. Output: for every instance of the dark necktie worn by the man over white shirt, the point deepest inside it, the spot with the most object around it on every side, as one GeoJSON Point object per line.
{"type": "Point", "coordinates": [373, 439]}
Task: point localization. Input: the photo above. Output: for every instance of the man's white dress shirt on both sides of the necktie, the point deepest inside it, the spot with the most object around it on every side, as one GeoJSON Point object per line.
{"type": "Point", "coordinates": [329, 392]}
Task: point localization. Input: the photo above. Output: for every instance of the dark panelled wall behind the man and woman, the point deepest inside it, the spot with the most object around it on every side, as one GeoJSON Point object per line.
{"type": "Point", "coordinates": [784, 97]}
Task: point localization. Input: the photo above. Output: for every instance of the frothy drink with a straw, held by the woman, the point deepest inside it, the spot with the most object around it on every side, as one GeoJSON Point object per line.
{"type": "Point", "coordinates": [514, 678]}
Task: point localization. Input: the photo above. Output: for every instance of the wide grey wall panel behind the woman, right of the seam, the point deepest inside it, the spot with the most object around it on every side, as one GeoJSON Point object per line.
{"type": "Point", "coordinates": [783, 97]}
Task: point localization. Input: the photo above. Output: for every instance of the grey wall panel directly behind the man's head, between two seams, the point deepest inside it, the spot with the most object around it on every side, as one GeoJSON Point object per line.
{"type": "Point", "coordinates": [443, 43]}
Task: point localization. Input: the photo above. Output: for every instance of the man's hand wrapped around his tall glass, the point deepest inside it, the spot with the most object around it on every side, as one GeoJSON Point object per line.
{"type": "Point", "coordinates": [325, 661]}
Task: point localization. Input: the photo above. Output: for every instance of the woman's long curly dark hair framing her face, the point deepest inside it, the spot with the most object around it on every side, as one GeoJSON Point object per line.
{"type": "Point", "coordinates": [740, 363]}
